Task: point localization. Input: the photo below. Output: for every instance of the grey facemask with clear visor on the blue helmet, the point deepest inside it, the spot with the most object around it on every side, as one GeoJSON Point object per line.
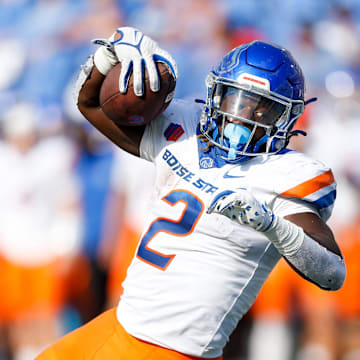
{"type": "Point", "coordinates": [246, 119]}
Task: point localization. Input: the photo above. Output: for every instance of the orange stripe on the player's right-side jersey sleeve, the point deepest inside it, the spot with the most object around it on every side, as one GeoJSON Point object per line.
{"type": "Point", "coordinates": [310, 186]}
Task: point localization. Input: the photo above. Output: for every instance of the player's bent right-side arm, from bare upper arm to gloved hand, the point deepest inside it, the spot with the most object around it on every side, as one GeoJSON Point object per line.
{"type": "Point", "coordinates": [304, 239]}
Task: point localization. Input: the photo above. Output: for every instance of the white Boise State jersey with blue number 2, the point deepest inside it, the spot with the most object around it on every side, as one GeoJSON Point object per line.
{"type": "Point", "coordinates": [195, 275]}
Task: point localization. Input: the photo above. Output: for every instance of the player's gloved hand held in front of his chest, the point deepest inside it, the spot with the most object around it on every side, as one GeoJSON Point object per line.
{"type": "Point", "coordinates": [242, 207]}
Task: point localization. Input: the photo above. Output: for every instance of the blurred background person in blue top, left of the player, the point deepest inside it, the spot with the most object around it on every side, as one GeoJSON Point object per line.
{"type": "Point", "coordinates": [102, 209]}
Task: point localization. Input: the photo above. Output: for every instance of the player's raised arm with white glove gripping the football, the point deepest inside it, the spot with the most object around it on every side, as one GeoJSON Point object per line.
{"type": "Point", "coordinates": [136, 53]}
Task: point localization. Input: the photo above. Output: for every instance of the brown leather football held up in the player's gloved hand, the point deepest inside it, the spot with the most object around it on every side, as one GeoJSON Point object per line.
{"type": "Point", "coordinates": [131, 110]}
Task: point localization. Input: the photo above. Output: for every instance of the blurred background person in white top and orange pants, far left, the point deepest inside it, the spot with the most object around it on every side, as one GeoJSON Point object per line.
{"type": "Point", "coordinates": [40, 226]}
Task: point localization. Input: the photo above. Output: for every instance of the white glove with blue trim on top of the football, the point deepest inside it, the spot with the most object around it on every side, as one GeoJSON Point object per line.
{"type": "Point", "coordinates": [134, 50]}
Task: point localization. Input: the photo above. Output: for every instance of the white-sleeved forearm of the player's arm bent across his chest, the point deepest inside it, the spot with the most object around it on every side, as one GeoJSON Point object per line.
{"type": "Point", "coordinates": [316, 263]}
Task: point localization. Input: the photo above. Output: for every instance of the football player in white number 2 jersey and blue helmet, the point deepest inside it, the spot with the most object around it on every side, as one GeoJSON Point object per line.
{"type": "Point", "coordinates": [229, 201]}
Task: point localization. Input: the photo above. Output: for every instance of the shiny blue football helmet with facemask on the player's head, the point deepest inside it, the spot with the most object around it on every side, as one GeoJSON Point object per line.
{"type": "Point", "coordinates": [254, 97]}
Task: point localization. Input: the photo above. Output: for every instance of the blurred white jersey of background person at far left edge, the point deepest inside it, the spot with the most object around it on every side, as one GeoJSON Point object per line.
{"type": "Point", "coordinates": [39, 220]}
